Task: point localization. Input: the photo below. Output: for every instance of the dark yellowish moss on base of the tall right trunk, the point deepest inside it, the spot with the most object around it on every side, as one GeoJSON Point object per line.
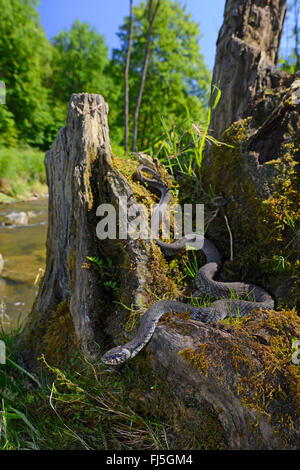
{"type": "Point", "coordinates": [264, 227]}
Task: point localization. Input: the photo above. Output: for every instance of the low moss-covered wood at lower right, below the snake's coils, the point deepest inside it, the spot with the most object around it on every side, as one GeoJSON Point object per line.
{"type": "Point", "coordinates": [228, 369]}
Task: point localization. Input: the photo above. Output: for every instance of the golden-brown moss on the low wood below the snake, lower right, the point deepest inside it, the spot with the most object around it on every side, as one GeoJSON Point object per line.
{"type": "Point", "coordinates": [259, 350]}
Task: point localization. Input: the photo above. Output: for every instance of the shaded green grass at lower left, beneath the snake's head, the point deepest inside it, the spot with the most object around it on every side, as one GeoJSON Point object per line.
{"type": "Point", "coordinates": [82, 407]}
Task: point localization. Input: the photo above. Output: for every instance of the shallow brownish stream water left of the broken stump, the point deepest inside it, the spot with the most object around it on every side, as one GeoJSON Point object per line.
{"type": "Point", "coordinates": [24, 252]}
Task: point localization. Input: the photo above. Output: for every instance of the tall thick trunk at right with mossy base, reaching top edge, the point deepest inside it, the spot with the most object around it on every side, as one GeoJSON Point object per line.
{"type": "Point", "coordinates": [258, 115]}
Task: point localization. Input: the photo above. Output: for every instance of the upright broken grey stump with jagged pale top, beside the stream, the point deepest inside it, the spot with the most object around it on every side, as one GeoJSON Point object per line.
{"type": "Point", "coordinates": [81, 176]}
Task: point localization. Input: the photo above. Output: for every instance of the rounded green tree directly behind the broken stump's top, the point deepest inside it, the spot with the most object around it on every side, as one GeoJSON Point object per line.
{"type": "Point", "coordinates": [81, 64]}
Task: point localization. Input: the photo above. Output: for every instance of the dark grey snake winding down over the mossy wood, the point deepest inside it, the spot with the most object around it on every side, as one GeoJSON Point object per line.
{"type": "Point", "coordinates": [225, 291]}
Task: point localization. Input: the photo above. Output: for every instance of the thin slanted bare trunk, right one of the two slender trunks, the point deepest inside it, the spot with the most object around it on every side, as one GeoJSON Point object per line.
{"type": "Point", "coordinates": [151, 18]}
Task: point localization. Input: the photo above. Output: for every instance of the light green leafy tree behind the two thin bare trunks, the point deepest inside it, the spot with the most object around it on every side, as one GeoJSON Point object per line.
{"type": "Point", "coordinates": [177, 77]}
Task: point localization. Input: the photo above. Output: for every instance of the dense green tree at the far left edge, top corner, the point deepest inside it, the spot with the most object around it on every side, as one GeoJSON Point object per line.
{"type": "Point", "coordinates": [25, 55]}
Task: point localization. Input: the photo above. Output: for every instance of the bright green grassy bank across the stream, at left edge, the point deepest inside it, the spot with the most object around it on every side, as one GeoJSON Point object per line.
{"type": "Point", "coordinates": [21, 171]}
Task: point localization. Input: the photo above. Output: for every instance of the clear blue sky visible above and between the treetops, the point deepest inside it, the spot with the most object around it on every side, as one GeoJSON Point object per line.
{"type": "Point", "coordinates": [107, 16]}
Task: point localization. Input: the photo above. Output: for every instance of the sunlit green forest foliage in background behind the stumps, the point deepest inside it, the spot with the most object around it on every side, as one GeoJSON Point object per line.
{"type": "Point", "coordinates": [40, 75]}
